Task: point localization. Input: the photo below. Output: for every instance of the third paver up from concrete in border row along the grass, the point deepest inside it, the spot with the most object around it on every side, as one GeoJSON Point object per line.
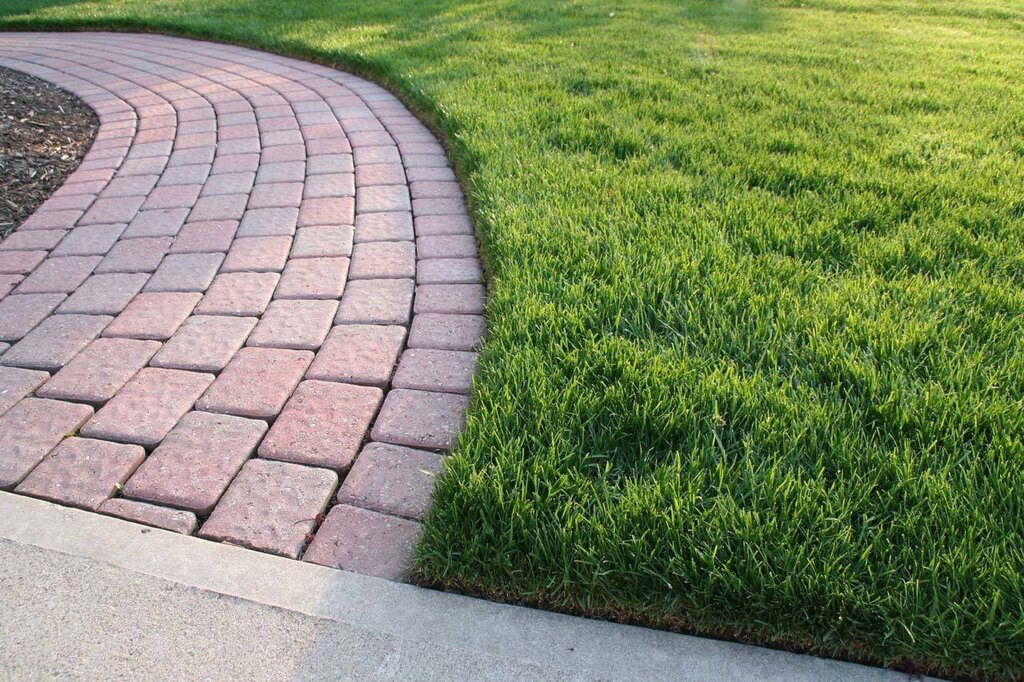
{"type": "Point", "coordinates": [421, 419]}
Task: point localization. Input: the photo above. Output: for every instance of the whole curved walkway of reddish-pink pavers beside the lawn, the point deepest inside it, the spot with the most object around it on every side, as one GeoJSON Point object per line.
{"type": "Point", "coordinates": [251, 314]}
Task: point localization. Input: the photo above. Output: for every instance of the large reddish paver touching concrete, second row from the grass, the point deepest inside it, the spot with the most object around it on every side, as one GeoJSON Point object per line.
{"type": "Point", "coordinates": [272, 506]}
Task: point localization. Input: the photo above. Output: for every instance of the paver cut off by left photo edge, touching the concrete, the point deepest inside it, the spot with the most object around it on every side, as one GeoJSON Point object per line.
{"type": "Point", "coordinates": [30, 431]}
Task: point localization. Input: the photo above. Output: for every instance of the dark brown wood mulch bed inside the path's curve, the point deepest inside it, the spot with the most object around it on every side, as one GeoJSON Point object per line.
{"type": "Point", "coordinates": [45, 134]}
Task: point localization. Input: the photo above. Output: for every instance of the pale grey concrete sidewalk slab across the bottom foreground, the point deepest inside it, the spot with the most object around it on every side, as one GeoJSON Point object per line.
{"type": "Point", "coordinates": [88, 596]}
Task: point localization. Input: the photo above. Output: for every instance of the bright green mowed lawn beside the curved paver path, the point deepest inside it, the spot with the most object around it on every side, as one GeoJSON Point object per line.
{"type": "Point", "coordinates": [755, 363]}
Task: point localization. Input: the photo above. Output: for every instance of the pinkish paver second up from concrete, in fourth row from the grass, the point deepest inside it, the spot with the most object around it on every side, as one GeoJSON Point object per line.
{"type": "Point", "coordinates": [148, 407]}
